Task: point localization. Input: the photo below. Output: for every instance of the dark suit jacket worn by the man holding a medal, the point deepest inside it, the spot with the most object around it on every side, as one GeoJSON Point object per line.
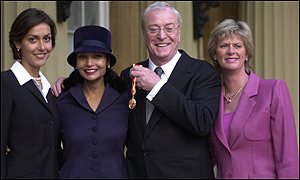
{"type": "Point", "coordinates": [174, 144]}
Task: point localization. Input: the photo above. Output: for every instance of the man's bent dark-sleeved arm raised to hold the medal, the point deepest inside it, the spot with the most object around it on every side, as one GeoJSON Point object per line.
{"type": "Point", "coordinates": [191, 100]}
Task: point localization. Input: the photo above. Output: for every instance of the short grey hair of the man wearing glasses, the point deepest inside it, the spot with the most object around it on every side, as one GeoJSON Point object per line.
{"type": "Point", "coordinates": [160, 5]}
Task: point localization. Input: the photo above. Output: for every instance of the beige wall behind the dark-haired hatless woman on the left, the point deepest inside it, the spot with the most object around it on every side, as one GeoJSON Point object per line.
{"type": "Point", "coordinates": [56, 65]}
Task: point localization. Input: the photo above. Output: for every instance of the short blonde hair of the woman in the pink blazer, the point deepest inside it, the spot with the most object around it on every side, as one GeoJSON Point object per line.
{"type": "Point", "coordinates": [228, 28]}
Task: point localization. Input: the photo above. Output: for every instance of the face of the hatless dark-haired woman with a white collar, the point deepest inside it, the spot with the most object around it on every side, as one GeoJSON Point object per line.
{"type": "Point", "coordinates": [35, 47]}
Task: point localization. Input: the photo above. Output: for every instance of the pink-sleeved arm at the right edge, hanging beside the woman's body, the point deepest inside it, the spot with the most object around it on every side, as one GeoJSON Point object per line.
{"type": "Point", "coordinates": [284, 132]}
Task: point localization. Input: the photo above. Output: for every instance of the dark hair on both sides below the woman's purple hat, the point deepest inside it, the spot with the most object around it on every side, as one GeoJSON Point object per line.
{"type": "Point", "coordinates": [110, 77]}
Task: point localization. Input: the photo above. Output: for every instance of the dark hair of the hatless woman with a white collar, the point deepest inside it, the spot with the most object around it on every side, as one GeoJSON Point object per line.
{"type": "Point", "coordinates": [24, 22]}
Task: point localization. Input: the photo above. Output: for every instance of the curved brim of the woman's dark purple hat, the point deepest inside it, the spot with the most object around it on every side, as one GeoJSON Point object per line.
{"type": "Point", "coordinates": [90, 49]}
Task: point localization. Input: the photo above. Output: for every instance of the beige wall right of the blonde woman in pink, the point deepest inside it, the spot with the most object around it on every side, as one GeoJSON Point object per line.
{"type": "Point", "coordinates": [276, 33]}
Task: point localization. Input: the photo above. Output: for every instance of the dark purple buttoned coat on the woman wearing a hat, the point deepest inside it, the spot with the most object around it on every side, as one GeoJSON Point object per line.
{"type": "Point", "coordinates": [93, 141]}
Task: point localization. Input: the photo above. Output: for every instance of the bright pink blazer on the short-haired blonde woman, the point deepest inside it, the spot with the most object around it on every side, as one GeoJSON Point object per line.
{"type": "Point", "coordinates": [262, 139]}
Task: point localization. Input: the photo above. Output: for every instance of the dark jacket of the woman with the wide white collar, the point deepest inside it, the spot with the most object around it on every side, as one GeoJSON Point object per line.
{"type": "Point", "coordinates": [30, 128]}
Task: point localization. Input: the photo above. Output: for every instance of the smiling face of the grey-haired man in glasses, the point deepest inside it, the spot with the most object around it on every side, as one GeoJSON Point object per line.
{"type": "Point", "coordinates": [163, 45]}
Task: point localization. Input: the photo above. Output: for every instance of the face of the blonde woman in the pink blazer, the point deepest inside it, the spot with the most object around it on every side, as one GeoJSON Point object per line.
{"type": "Point", "coordinates": [231, 53]}
